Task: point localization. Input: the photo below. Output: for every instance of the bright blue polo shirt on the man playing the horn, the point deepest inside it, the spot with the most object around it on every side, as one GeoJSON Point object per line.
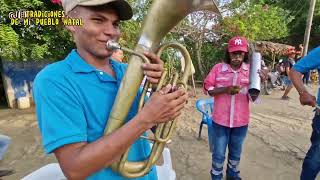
{"type": "Point", "coordinates": [73, 102]}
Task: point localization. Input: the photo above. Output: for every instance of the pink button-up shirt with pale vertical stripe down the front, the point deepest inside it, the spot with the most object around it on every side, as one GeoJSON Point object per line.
{"type": "Point", "coordinates": [229, 110]}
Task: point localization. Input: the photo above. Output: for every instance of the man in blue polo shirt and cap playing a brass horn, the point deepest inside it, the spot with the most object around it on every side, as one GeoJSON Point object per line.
{"type": "Point", "coordinates": [74, 97]}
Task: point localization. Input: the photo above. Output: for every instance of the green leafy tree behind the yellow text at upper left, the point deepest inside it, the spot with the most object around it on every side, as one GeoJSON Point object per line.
{"type": "Point", "coordinates": [32, 42]}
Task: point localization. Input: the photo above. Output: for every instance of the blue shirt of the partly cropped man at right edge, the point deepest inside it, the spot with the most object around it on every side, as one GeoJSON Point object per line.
{"type": "Point", "coordinates": [309, 62]}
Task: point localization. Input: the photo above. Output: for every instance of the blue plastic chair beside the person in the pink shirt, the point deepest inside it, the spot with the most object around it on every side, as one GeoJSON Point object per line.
{"type": "Point", "coordinates": [205, 106]}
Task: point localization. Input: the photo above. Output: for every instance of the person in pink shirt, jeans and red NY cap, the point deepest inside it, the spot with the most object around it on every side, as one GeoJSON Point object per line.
{"type": "Point", "coordinates": [228, 83]}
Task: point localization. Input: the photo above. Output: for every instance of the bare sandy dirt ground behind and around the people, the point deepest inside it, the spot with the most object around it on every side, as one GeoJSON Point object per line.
{"type": "Point", "coordinates": [277, 141]}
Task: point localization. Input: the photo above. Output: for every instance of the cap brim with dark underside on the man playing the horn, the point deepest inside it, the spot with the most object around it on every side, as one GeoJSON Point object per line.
{"type": "Point", "coordinates": [122, 7]}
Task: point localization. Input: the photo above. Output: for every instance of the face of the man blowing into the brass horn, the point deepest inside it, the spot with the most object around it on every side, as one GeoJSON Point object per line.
{"type": "Point", "coordinates": [100, 24]}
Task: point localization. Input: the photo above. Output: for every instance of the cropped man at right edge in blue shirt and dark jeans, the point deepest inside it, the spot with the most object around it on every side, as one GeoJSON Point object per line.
{"type": "Point", "coordinates": [311, 163]}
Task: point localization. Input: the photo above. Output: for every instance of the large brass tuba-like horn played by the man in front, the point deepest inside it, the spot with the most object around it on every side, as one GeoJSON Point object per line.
{"type": "Point", "coordinates": [161, 18]}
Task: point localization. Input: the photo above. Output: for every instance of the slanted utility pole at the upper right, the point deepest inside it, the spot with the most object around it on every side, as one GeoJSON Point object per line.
{"type": "Point", "coordinates": [308, 27]}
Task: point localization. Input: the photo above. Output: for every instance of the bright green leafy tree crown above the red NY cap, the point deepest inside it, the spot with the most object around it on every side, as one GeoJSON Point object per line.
{"type": "Point", "coordinates": [257, 22]}
